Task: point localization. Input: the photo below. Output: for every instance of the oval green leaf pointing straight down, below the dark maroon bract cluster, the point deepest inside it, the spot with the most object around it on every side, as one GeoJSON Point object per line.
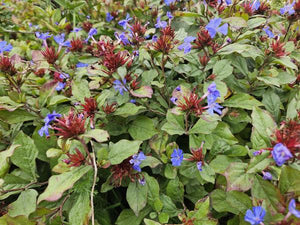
{"type": "Point", "coordinates": [136, 196]}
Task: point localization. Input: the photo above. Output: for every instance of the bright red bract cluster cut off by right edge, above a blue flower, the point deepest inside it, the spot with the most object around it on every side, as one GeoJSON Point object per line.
{"type": "Point", "coordinates": [289, 135]}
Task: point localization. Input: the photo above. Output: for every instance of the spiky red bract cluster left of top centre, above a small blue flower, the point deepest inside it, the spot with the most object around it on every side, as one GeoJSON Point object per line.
{"type": "Point", "coordinates": [112, 61]}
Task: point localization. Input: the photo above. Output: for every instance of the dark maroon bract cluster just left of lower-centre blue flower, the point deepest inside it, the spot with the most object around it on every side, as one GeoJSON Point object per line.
{"type": "Point", "coordinates": [123, 170]}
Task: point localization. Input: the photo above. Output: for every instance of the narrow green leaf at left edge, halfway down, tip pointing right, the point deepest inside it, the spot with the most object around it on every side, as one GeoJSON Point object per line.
{"type": "Point", "coordinates": [17, 116]}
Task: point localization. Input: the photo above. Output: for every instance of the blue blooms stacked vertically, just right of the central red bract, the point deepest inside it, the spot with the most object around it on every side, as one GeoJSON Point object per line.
{"type": "Point", "coordinates": [212, 96]}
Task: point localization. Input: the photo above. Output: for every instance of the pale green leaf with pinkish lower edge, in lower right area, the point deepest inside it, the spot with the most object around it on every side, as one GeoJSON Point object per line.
{"type": "Point", "coordinates": [237, 178]}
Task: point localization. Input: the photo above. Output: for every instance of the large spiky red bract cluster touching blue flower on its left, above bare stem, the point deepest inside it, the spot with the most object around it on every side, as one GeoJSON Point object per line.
{"type": "Point", "coordinates": [70, 126]}
